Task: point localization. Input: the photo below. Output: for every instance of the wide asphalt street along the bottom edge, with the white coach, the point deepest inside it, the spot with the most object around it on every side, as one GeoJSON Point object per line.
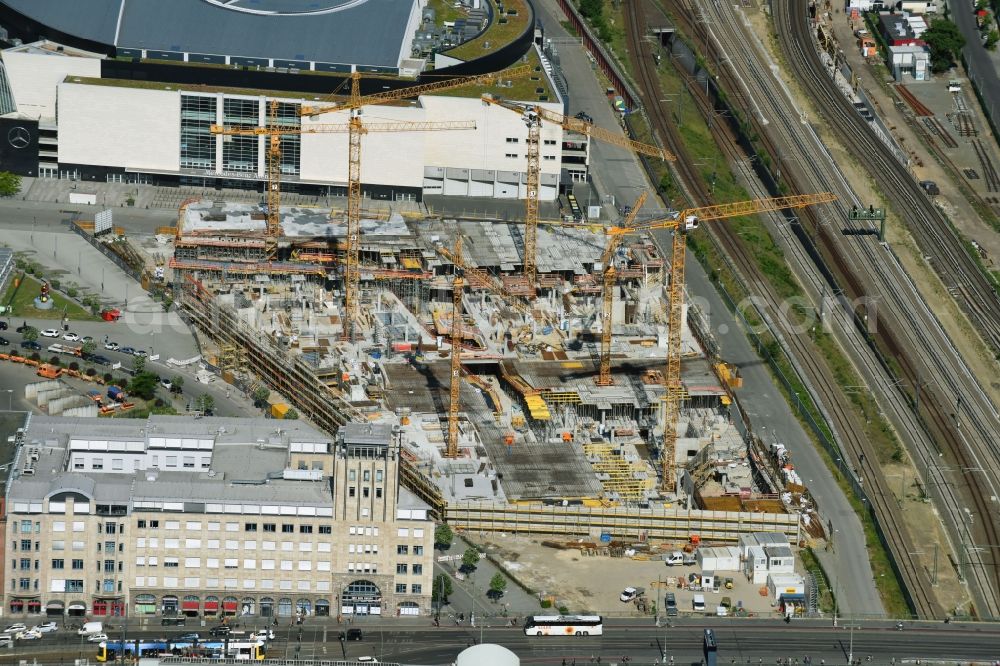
{"type": "Point", "coordinates": [739, 641]}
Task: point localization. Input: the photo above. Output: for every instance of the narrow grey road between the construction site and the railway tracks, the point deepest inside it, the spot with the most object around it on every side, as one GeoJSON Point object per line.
{"type": "Point", "coordinates": [621, 174]}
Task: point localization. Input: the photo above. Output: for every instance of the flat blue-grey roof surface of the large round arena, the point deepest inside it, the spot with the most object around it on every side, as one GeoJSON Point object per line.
{"type": "Point", "coordinates": [361, 32]}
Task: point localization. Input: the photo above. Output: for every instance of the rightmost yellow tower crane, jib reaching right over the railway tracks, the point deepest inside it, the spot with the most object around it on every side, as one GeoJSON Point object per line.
{"type": "Point", "coordinates": [681, 223]}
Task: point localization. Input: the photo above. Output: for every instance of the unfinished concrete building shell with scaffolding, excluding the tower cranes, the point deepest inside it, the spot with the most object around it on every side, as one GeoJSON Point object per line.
{"type": "Point", "coordinates": [533, 420]}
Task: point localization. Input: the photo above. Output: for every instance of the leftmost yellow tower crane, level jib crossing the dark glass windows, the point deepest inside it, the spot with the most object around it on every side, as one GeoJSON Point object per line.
{"type": "Point", "coordinates": [275, 131]}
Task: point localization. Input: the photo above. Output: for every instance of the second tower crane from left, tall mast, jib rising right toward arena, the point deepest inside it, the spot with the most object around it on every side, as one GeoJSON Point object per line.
{"type": "Point", "coordinates": [357, 129]}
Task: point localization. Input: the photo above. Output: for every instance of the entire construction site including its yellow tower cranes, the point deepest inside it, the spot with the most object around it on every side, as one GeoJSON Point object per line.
{"type": "Point", "coordinates": [525, 362]}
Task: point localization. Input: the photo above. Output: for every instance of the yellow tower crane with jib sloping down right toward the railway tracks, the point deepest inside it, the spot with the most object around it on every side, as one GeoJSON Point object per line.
{"type": "Point", "coordinates": [533, 114]}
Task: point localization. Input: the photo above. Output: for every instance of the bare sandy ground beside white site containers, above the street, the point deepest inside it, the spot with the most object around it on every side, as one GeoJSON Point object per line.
{"type": "Point", "coordinates": [593, 583]}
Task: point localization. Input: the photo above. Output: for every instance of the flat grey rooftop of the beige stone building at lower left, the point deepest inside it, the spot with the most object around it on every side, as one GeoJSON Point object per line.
{"type": "Point", "coordinates": [248, 459]}
